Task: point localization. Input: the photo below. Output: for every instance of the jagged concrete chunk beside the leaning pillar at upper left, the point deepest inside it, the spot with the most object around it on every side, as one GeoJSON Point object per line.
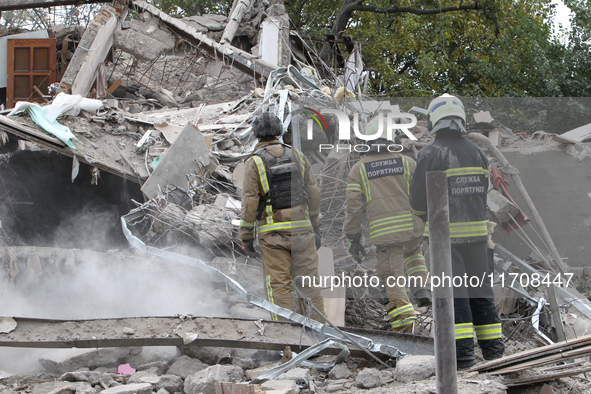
{"type": "Point", "coordinates": [146, 40]}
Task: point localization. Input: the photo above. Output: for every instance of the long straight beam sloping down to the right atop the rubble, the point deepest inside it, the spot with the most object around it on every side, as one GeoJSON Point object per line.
{"type": "Point", "coordinates": [242, 60]}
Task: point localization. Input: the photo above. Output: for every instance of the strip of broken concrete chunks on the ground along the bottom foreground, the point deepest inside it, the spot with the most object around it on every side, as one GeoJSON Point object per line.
{"type": "Point", "coordinates": [129, 370]}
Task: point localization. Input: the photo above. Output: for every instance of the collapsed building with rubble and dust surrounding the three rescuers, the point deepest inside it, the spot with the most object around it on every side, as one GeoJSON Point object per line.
{"type": "Point", "coordinates": [134, 211]}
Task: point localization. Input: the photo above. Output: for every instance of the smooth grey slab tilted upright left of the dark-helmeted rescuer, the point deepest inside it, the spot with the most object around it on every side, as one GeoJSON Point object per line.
{"type": "Point", "coordinates": [178, 162]}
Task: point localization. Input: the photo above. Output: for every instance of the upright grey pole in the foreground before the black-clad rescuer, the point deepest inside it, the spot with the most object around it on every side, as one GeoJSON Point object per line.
{"type": "Point", "coordinates": [443, 299]}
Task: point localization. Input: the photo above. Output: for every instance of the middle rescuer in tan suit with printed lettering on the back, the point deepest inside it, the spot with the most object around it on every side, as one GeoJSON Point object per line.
{"type": "Point", "coordinates": [378, 187]}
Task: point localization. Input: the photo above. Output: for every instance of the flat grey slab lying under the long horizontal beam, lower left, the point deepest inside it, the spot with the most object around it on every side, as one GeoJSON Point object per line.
{"type": "Point", "coordinates": [89, 359]}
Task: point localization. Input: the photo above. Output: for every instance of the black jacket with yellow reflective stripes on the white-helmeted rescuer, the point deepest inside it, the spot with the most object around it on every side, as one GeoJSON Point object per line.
{"type": "Point", "coordinates": [466, 167]}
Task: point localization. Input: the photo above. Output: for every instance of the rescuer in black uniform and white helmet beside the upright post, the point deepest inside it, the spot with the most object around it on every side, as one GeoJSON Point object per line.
{"type": "Point", "coordinates": [467, 172]}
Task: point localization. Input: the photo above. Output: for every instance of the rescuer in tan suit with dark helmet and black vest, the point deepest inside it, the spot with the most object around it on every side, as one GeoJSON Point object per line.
{"type": "Point", "coordinates": [280, 198]}
